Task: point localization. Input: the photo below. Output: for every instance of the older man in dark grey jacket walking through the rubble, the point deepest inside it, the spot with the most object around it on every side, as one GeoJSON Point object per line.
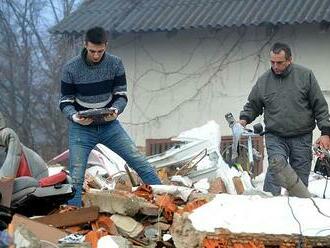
{"type": "Point", "coordinates": [292, 102]}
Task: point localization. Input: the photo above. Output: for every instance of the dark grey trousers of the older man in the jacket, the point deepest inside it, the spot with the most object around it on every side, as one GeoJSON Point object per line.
{"type": "Point", "coordinates": [298, 150]}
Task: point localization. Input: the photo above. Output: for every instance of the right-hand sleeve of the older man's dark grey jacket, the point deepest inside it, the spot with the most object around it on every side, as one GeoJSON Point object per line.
{"type": "Point", "coordinates": [319, 106]}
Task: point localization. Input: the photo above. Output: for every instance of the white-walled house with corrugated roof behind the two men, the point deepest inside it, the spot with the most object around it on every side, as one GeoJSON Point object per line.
{"type": "Point", "coordinates": [198, 59]}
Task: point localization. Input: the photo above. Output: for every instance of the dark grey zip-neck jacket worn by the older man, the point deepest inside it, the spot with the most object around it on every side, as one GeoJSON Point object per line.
{"type": "Point", "coordinates": [292, 103]}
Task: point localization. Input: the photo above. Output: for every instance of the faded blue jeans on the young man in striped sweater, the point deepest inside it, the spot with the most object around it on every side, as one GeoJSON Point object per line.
{"type": "Point", "coordinates": [82, 139]}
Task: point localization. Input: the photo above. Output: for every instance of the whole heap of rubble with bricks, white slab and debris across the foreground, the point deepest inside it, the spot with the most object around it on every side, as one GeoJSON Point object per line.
{"type": "Point", "coordinates": [198, 205]}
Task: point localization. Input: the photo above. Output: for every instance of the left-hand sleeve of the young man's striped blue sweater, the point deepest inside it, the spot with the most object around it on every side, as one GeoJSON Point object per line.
{"type": "Point", "coordinates": [68, 92]}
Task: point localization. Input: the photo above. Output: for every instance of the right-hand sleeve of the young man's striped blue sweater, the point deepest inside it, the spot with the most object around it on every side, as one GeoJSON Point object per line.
{"type": "Point", "coordinates": [119, 91]}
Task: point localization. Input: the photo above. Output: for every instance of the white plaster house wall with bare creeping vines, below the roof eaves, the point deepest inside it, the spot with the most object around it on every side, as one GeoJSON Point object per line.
{"type": "Point", "coordinates": [180, 80]}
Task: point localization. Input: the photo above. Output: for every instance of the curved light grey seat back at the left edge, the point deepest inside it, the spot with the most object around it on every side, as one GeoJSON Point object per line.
{"type": "Point", "coordinates": [10, 140]}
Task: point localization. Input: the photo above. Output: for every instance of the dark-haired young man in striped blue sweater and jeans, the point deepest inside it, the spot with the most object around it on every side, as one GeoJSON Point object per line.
{"type": "Point", "coordinates": [96, 79]}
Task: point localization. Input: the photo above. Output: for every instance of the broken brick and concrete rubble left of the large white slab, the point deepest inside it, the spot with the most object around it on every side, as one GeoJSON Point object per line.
{"type": "Point", "coordinates": [139, 218]}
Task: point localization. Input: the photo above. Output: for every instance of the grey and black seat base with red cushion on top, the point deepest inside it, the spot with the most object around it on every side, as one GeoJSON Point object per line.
{"type": "Point", "coordinates": [36, 195]}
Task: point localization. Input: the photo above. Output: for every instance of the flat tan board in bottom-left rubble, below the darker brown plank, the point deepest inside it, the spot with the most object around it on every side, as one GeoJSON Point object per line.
{"type": "Point", "coordinates": [42, 231]}
